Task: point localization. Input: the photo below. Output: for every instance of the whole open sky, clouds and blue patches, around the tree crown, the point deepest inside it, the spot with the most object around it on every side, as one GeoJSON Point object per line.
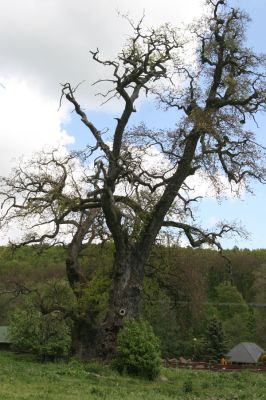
{"type": "Point", "coordinates": [47, 42]}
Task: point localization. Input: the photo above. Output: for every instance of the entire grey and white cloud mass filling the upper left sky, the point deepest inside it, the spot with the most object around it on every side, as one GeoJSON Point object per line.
{"type": "Point", "coordinates": [47, 42]}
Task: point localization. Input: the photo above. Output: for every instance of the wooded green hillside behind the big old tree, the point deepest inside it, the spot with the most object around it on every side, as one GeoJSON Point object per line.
{"type": "Point", "coordinates": [183, 290]}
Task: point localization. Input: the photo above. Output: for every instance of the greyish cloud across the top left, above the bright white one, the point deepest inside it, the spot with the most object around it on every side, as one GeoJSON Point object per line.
{"type": "Point", "coordinates": [48, 41]}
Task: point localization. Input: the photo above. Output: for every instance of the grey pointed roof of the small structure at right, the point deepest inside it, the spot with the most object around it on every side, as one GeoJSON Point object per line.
{"type": "Point", "coordinates": [245, 353]}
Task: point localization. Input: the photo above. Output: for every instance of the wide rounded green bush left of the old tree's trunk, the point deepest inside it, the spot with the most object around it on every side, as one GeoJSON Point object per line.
{"type": "Point", "coordinates": [43, 326]}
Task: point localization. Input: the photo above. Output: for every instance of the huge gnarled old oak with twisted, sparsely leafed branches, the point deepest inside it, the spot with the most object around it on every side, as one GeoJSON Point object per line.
{"type": "Point", "coordinates": [111, 191]}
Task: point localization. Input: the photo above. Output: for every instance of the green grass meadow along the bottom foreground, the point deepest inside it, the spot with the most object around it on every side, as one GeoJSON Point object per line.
{"type": "Point", "coordinates": [22, 378]}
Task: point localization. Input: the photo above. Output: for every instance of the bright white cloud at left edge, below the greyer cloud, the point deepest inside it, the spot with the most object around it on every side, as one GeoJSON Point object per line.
{"type": "Point", "coordinates": [29, 121]}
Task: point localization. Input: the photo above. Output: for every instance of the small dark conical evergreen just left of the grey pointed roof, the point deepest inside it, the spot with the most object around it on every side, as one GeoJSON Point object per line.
{"type": "Point", "coordinates": [215, 340]}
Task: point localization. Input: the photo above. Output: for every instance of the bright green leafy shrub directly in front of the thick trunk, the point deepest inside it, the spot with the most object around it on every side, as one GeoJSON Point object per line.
{"type": "Point", "coordinates": [138, 350]}
